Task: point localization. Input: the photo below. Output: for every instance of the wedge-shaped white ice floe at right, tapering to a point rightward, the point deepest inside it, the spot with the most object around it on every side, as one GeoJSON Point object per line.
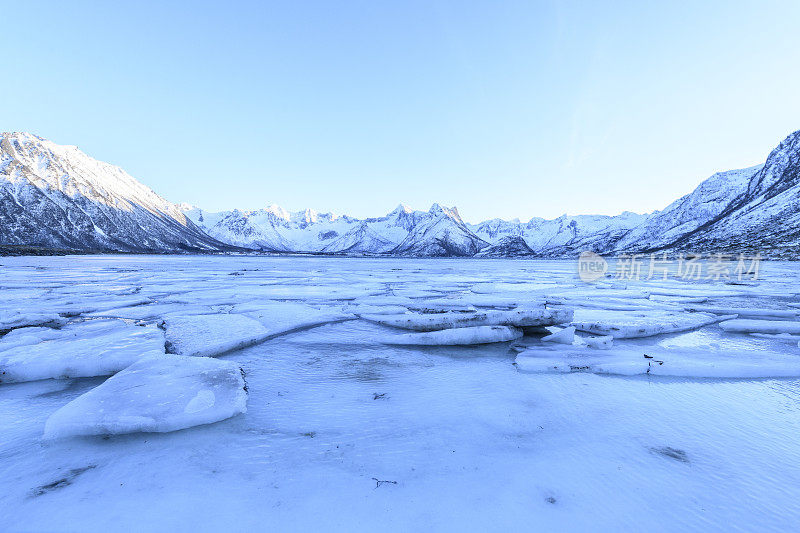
{"type": "Point", "coordinates": [632, 324]}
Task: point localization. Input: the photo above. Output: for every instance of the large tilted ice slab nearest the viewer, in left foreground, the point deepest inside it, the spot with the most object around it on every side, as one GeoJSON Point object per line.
{"type": "Point", "coordinates": [156, 394]}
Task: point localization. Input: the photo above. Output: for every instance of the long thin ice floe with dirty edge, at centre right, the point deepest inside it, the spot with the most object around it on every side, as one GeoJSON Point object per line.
{"type": "Point", "coordinates": [520, 317]}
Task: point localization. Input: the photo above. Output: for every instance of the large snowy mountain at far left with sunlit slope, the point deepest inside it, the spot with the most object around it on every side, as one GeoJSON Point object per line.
{"type": "Point", "coordinates": [56, 196]}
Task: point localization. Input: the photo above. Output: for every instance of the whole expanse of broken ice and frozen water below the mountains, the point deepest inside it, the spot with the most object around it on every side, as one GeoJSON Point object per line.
{"type": "Point", "coordinates": [343, 432]}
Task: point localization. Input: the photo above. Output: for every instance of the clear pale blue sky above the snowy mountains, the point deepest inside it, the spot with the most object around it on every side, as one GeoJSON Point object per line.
{"type": "Point", "coordinates": [505, 109]}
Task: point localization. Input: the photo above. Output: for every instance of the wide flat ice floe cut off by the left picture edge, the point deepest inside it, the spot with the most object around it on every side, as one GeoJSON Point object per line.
{"type": "Point", "coordinates": [92, 348]}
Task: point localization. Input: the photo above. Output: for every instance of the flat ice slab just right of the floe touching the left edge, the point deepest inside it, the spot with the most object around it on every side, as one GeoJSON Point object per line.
{"type": "Point", "coordinates": [211, 335]}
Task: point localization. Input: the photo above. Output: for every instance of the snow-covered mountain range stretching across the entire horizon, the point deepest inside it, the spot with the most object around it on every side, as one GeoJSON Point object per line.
{"type": "Point", "coordinates": [57, 197]}
